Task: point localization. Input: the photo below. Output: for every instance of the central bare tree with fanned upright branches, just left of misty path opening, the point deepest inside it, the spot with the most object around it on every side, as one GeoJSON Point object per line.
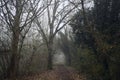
{"type": "Point", "coordinates": [57, 18]}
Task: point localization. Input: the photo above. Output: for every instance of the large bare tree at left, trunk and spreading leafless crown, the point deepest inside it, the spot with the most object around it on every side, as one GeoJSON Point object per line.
{"type": "Point", "coordinates": [18, 16]}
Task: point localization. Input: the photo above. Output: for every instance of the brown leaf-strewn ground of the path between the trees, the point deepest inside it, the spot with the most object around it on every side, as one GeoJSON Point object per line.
{"type": "Point", "coordinates": [58, 73]}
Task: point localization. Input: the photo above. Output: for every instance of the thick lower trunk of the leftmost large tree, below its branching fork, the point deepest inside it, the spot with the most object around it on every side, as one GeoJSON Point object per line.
{"type": "Point", "coordinates": [13, 67]}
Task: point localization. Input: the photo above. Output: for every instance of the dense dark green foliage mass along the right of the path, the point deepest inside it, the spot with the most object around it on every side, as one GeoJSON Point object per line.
{"type": "Point", "coordinates": [97, 40]}
